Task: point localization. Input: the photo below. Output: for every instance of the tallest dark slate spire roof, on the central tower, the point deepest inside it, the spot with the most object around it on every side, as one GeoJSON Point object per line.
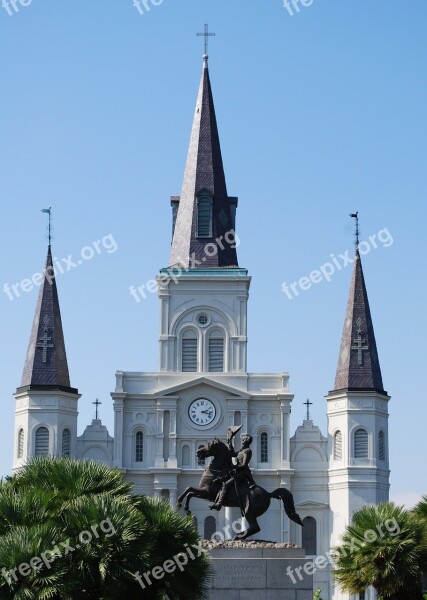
{"type": "Point", "coordinates": [204, 176]}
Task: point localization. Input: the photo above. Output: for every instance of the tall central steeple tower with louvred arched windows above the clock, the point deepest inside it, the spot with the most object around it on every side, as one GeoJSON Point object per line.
{"type": "Point", "coordinates": [203, 293]}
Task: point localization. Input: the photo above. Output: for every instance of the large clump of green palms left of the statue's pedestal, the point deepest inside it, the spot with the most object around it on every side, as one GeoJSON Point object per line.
{"type": "Point", "coordinates": [93, 534]}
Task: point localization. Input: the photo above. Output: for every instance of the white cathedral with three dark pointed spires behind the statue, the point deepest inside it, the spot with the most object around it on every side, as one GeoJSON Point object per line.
{"type": "Point", "coordinates": [202, 385]}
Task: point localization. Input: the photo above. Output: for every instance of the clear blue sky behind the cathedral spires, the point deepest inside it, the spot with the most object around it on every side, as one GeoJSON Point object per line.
{"type": "Point", "coordinates": [321, 113]}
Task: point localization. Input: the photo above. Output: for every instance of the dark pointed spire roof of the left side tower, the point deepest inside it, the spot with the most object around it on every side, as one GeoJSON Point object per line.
{"type": "Point", "coordinates": [46, 365]}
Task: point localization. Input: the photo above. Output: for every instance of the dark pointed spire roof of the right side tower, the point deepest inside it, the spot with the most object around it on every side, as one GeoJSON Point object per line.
{"type": "Point", "coordinates": [358, 364]}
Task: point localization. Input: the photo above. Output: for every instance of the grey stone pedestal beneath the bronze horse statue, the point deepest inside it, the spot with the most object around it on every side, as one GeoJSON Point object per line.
{"type": "Point", "coordinates": [259, 571]}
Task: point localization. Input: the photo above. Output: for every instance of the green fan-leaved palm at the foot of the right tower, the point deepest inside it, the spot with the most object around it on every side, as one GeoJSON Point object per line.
{"type": "Point", "coordinates": [383, 548]}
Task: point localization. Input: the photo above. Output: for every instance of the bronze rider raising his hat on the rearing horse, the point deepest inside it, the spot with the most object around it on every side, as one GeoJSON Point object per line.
{"type": "Point", "coordinates": [241, 472]}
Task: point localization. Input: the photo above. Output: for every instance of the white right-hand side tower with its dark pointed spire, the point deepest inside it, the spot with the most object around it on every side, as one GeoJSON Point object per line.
{"type": "Point", "coordinates": [357, 410]}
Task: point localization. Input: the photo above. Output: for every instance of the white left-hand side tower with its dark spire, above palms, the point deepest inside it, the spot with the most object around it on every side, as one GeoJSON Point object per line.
{"type": "Point", "coordinates": [46, 404]}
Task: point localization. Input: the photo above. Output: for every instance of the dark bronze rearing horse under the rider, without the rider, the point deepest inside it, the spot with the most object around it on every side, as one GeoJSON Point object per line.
{"type": "Point", "coordinates": [255, 502]}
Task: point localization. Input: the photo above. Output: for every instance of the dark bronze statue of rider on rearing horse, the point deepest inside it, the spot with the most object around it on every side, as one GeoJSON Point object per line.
{"type": "Point", "coordinates": [226, 484]}
